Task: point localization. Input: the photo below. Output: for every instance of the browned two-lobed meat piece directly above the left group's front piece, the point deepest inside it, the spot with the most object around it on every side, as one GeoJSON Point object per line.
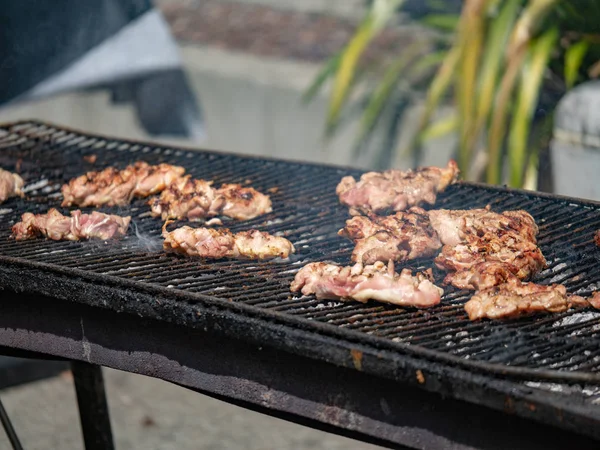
{"type": "Point", "coordinates": [197, 199]}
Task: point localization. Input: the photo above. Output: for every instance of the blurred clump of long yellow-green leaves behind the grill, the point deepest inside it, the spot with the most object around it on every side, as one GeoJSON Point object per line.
{"type": "Point", "coordinates": [495, 61]}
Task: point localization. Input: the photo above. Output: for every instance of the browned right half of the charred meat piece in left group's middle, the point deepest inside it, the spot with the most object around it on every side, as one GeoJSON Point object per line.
{"type": "Point", "coordinates": [243, 203]}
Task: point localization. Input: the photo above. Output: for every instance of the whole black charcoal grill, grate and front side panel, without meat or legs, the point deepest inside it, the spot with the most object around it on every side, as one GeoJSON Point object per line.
{"type": "Point", "coordinates": [231, 329]}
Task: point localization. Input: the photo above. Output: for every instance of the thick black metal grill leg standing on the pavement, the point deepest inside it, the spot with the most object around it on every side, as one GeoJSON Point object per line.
{"type": "Point", "coordinates": [93, 409]}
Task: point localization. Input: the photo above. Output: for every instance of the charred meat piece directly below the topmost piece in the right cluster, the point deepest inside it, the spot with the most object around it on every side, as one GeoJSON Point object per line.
{"type": "Point", "coordinates": [403, 236]}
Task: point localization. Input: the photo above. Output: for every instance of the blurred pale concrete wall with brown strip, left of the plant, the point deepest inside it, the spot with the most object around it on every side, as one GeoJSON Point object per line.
{"type": "Point", "coordinates": [248, 64]}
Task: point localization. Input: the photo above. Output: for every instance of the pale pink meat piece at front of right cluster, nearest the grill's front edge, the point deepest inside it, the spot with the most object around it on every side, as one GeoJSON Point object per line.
{"type": "Point", "coordinates": [362, 283]}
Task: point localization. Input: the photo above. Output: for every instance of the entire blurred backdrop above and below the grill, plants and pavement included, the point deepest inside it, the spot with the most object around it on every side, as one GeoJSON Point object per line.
{"type": "Point", "coordinates": [507, 87]}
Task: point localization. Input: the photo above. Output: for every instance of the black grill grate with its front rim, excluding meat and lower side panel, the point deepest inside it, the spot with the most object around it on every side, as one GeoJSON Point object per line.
{"type": "Point", "coordinates": [547, 356]}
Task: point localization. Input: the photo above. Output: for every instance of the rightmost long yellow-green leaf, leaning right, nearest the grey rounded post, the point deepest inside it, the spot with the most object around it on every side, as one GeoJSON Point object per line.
{"type": "Point", "coordinates": [530, 83]}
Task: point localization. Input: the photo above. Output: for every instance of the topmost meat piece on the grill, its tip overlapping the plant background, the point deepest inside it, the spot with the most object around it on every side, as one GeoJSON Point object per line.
{"type": "Point", "coordinates": [395, 190]}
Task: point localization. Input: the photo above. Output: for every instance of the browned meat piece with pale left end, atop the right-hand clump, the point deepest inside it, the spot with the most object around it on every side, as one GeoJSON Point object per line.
{"type": "Point", "coordinates": [454, 226]}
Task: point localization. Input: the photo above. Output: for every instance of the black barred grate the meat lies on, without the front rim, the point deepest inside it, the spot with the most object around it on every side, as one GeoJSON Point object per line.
{"type": "Point", "coordinates": [559, 348]}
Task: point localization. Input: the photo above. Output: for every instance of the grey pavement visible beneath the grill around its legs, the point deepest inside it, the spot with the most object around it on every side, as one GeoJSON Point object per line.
{"type": "Point", "coordinates": [152, 414]}
